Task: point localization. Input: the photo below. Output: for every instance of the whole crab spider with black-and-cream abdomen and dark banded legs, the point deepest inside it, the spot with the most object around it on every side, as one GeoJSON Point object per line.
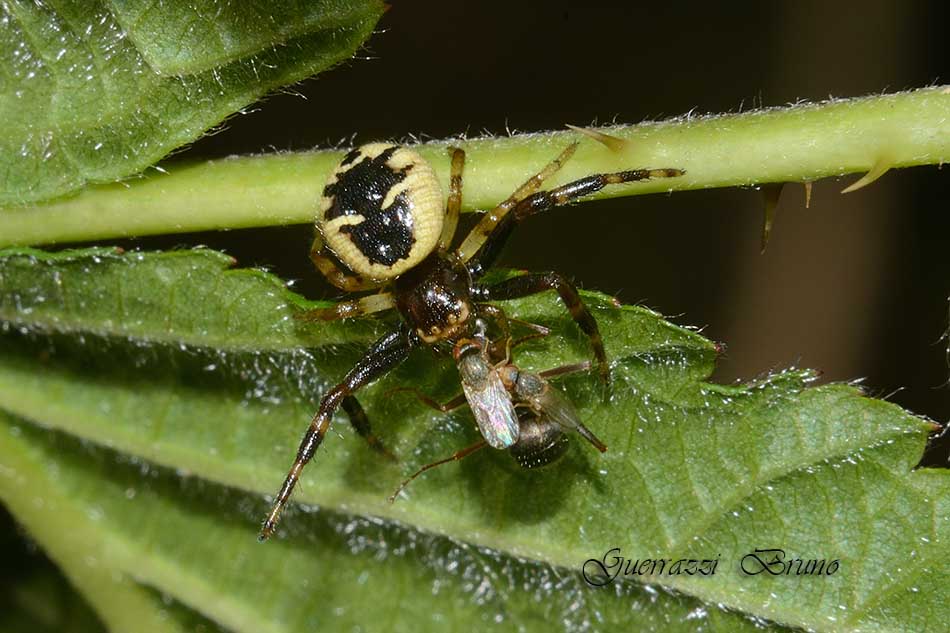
{"type": "Point", "coordinates": [380, 225]}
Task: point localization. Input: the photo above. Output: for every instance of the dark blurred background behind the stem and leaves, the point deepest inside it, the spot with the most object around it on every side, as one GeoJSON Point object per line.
{"type": "Point", "coordinates": [856, 286]}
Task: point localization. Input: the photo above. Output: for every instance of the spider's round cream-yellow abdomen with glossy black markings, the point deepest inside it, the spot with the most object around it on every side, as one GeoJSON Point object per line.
{"type": "Point", "coordinates": [381, 210]}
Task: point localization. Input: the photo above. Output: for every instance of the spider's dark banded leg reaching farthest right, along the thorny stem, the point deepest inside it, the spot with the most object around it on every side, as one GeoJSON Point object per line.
{"type": "Point", "coordinates": [485, 241]}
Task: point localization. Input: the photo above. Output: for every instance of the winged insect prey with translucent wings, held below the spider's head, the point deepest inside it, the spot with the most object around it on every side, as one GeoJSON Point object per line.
{"type": "Point", "coordinates": [537, 435]}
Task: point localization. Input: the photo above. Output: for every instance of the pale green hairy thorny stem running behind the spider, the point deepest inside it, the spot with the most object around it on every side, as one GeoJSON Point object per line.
{"type": "Point", "coordinates": [793, 144]}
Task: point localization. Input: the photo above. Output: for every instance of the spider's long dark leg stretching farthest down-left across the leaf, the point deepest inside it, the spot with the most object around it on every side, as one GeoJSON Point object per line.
{"type": "Point", "coordinates": [386, 353]}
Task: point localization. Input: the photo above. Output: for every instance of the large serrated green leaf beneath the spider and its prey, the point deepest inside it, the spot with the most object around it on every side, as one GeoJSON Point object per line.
{"type": "Point", "coordinates": [199, 382]}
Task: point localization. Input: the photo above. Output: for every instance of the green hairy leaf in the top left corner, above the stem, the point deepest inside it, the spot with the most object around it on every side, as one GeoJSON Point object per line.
{"type": "Point", "coordinates": [98, 91]}
